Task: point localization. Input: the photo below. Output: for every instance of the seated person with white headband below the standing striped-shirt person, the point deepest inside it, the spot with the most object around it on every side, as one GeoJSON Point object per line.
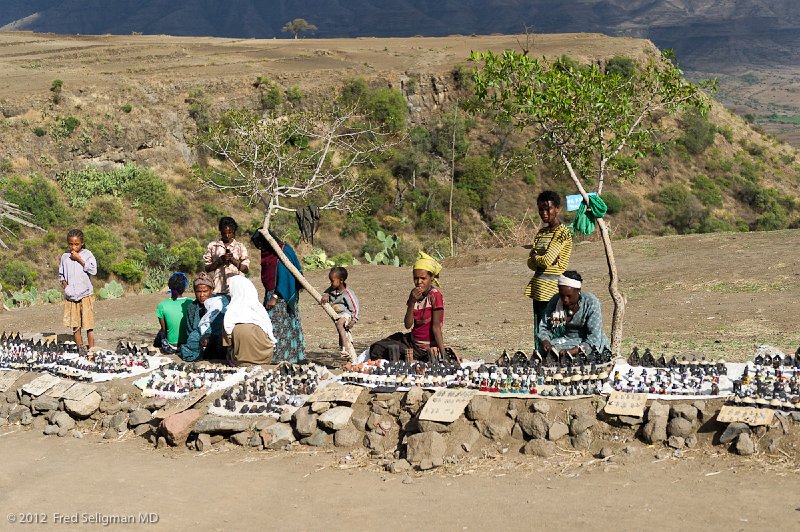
{"type": "Point", "coordinates": [572, 320]}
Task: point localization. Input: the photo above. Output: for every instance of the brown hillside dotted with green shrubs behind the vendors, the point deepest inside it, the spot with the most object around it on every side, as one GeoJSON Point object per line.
{"type": "Point", "coordinates": [116, 116]}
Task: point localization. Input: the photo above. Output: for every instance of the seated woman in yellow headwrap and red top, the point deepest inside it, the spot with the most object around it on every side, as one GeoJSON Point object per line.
{"type": "Point", "coordinates": [424, 316]}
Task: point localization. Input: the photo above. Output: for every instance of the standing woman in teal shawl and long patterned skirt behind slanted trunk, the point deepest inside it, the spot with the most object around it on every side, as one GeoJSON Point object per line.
{"type": "Point", "coordinates": [281, 291]}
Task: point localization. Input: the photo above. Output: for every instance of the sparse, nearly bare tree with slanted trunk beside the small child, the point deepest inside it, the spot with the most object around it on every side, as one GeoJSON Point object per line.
{"type": "Point", "coordinates": [281, 162]}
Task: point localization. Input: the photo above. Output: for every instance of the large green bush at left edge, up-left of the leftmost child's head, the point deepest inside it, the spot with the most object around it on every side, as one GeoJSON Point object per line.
{"type": "Point", "coordinates": [40, 197]}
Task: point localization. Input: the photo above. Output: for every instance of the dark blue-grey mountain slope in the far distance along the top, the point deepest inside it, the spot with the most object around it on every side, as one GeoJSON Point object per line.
{"type": "Point", "coordinates": [705, 33]}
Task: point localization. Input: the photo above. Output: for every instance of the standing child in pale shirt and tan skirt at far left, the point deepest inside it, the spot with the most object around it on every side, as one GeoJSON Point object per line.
{"type": "Point", "coordinates": [73, 272]}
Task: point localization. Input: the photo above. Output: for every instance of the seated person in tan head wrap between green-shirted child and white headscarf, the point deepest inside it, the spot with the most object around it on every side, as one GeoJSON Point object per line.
{"type": "Point", "coordinates": [204, 322]}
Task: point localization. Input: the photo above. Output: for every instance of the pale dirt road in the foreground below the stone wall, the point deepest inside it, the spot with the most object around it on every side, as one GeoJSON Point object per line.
{"type": "Point", "coordinates": [228, 488]}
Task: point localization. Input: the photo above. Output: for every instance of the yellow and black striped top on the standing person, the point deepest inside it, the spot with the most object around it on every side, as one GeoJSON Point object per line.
{"type": "Point", "coordinates": [549, 258]}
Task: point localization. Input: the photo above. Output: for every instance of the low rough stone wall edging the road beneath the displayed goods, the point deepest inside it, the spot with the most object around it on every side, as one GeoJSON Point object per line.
{"type": "Point", "coordinates": [389, 427]}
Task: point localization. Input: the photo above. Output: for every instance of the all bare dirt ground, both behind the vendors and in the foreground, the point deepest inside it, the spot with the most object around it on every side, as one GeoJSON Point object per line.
{"type": "Point", "coordinates": [718, 295]}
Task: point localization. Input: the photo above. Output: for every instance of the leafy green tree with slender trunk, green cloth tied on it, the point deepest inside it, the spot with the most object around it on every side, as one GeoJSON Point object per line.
{"type": "Point", "coordinates": [587, 120]}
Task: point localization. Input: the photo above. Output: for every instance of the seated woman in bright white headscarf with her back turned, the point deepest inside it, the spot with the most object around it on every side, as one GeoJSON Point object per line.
{"type": "Point", "coordinates": [248, 325]}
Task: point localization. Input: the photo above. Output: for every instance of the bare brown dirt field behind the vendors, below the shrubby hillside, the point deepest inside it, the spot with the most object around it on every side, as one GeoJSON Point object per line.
{"type": "Point", "coordinates": [718, 295]}
